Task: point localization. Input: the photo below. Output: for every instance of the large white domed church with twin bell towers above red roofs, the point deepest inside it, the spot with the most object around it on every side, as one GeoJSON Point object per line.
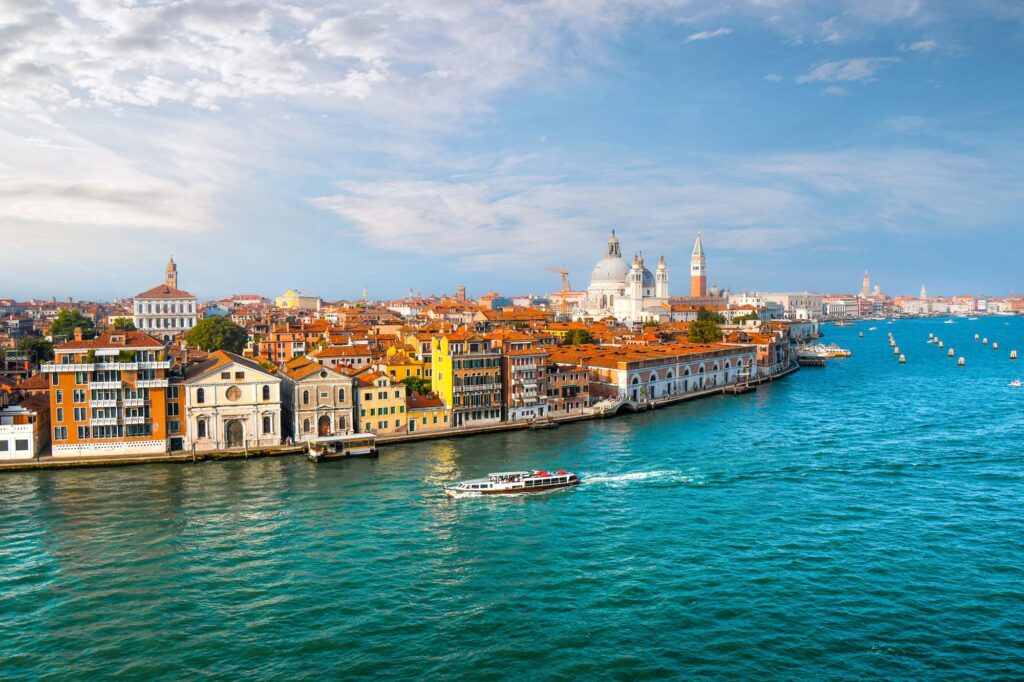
{"type": "Point", "coordinates": [626, 291]}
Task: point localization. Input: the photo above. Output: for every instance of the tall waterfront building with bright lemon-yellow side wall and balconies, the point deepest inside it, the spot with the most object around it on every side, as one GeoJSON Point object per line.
{"type": "Point", "coordinates": [467, 376]}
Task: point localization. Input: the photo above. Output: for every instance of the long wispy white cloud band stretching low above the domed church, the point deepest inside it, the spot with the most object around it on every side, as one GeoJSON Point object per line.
{"type": "Point", "coordinates": [486, 218]}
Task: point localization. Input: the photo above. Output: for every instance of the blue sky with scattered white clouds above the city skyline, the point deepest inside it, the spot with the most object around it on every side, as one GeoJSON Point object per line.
{"type": "Point", "coordinates": [426, 145]}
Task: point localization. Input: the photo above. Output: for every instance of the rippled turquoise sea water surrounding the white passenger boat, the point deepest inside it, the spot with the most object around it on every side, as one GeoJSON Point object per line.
{"type": "Point", "coordinates": [859, 522]}
